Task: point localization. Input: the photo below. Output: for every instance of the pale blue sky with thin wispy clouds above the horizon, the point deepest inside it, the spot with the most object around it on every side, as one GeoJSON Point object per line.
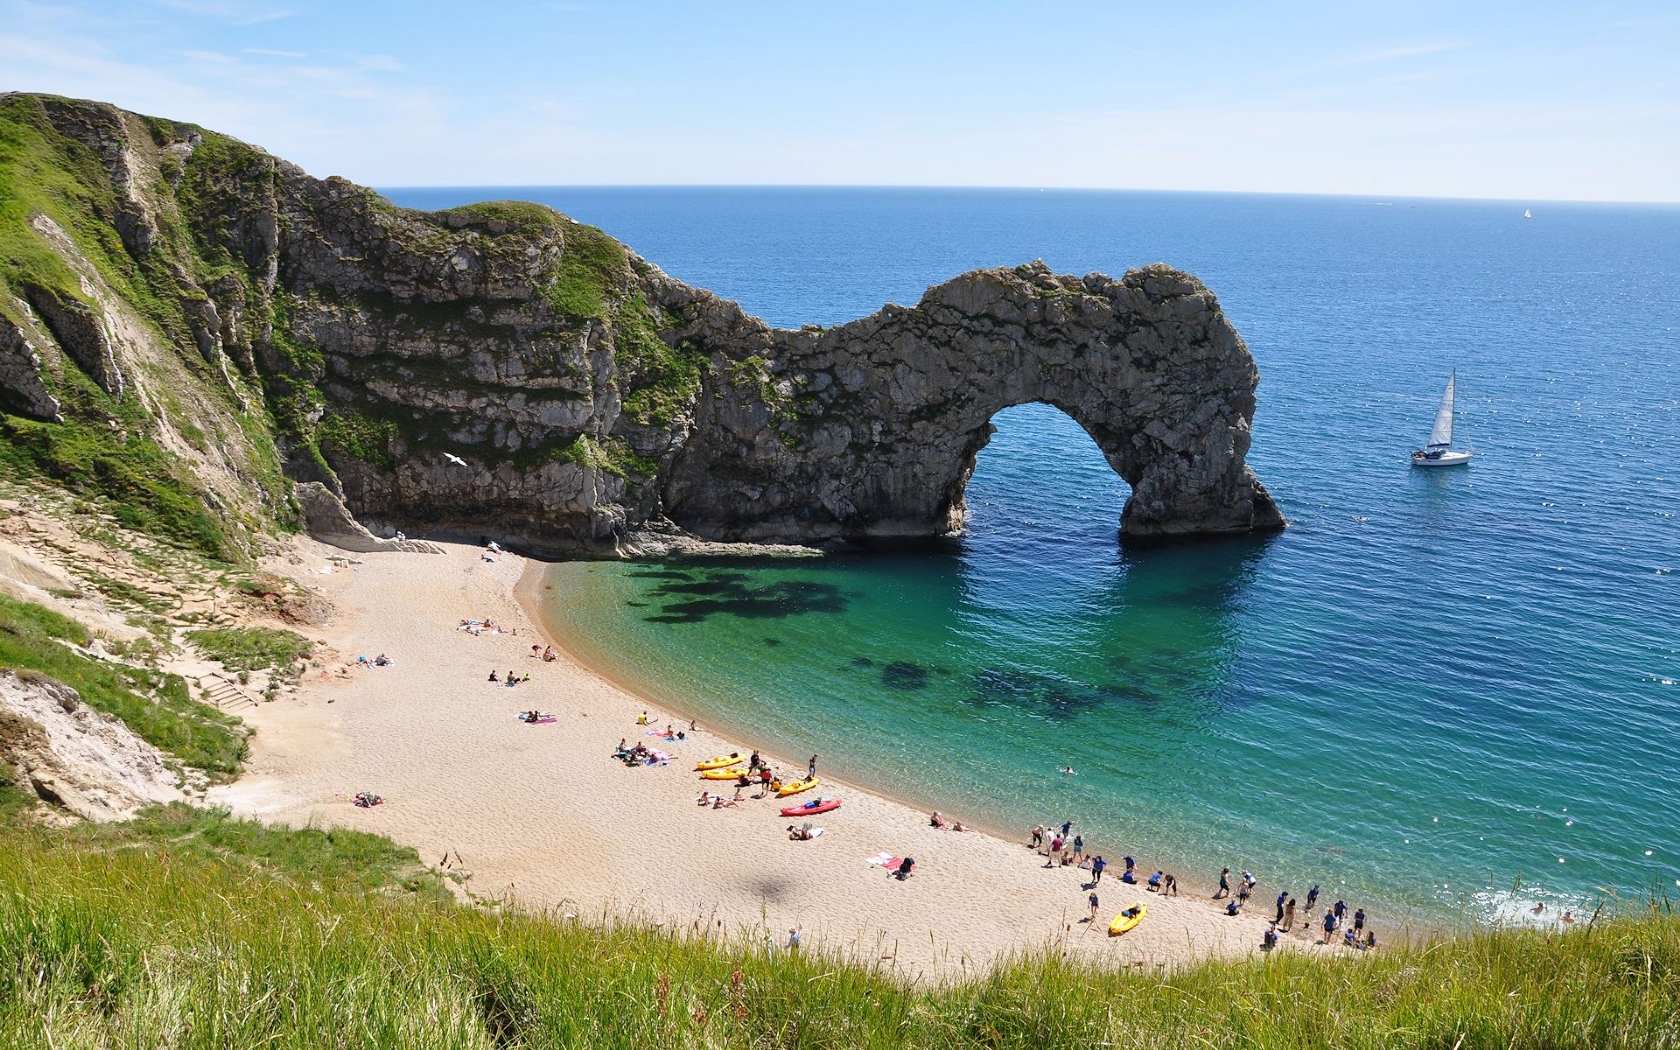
{"type": "Point", "coordinates": [1525, 102]}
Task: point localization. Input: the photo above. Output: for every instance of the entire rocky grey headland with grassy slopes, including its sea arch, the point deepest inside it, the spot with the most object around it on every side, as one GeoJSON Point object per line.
{"type": "Point", "coordinates": [505, 370]}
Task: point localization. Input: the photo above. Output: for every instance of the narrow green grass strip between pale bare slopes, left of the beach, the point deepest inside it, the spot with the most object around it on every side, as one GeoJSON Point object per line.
{"type": "Point", "coordinates": [155, 706]}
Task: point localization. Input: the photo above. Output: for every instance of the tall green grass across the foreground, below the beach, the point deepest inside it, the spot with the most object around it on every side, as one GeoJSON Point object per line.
{"type": "Point", "coordinates": [196, 932]}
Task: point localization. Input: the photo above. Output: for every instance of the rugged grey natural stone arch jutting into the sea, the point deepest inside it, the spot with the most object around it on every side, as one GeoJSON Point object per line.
{"type": "Point", "coordinates": [869, 431]}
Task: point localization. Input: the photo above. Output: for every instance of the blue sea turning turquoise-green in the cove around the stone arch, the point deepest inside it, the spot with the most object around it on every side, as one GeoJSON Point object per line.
{"type": "Point", "coordinates": [1442, 695]}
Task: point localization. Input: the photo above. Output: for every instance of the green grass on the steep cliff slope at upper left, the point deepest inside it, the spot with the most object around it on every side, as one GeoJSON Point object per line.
{"type": "Point", "coordinates": [105, 448]}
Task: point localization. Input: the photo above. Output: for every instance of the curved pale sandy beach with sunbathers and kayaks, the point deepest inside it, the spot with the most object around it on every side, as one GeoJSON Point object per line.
{"type": "Point", "coordinates": [543, 817]}
